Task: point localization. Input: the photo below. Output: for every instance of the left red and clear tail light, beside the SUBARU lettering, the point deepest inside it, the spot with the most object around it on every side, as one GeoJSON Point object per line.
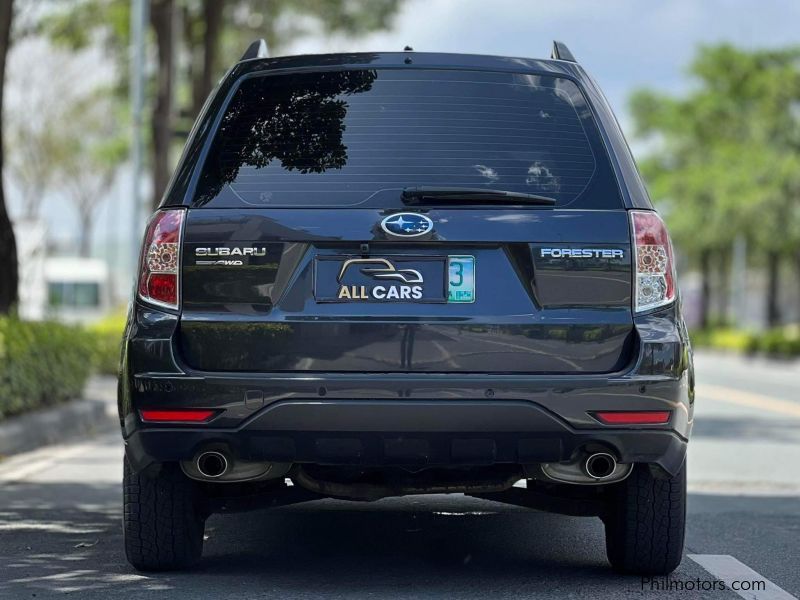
{"type": "Point", "coordinates": [159, 271]}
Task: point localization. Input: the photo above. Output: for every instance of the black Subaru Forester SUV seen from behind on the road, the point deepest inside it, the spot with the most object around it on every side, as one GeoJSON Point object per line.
{"type": "Point", "coordinates": [379, 274]}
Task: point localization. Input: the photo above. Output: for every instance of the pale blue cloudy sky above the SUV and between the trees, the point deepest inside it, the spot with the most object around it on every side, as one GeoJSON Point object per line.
{"type": "Point", "coordinates": [624, 44]}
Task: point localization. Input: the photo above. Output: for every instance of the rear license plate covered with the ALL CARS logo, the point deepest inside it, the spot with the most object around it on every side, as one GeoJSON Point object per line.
{"type": "Point", "coordinates": [388, 279]}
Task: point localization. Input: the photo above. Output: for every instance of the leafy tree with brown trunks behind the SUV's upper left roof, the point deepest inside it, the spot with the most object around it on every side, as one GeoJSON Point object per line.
{"type": "Point", "coordinates": [211, 28]}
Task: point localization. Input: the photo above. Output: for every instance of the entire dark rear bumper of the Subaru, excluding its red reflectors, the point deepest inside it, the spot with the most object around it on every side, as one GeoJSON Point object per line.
{"type": "Point", "coordinates": [419, 419]}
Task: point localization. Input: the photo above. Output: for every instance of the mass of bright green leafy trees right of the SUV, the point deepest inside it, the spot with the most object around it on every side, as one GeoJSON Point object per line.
{"type": "Point", "coordinates": [727, 156]}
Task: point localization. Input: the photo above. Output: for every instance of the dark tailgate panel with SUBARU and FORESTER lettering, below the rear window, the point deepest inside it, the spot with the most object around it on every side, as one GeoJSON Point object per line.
{"type": "Point", "coordinates": [514, 290]}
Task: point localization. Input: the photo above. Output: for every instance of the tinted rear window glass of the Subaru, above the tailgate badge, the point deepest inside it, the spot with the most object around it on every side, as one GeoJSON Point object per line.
{"type": "Point", "coordinates": [358, 137]}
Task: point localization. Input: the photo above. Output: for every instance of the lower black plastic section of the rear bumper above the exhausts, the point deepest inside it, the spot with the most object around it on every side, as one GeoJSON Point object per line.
{"type": "Point", "coordinates": [408, 433]}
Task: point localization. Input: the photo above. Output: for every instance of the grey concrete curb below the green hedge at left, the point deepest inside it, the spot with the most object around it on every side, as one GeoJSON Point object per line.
{"type": "Point", "coordinates": [51, 425]}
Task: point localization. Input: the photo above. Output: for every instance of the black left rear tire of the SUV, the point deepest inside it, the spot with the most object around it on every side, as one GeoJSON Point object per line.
{"type": "Point", "coordinates": [163, 523]}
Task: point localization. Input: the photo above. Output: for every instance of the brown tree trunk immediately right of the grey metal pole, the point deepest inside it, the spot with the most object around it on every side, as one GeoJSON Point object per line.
{"type": "Point", "coordinates": [162, 19]}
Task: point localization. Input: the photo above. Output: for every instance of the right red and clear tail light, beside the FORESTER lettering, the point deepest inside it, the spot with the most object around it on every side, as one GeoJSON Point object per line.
{"type": "Point", "coordinates": [655, 266]}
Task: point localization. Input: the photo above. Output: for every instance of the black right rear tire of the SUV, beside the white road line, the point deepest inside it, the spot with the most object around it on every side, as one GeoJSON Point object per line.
{"type": "Point", "coordinates": [645, 522]}
